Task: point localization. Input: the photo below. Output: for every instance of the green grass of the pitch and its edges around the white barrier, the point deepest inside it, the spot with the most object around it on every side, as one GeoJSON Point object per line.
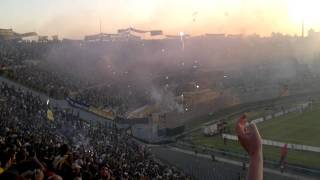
{"type": "Point", "coordinates": [299, 128]}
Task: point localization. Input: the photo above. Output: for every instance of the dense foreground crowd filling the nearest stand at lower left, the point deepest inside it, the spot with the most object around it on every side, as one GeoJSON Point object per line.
{"type": "Point", "coordinates": [34, 147]}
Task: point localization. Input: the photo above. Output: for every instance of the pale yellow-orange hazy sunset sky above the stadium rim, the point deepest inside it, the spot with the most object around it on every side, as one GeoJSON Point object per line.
{"type": "Point", "coordinates": [76, 18]}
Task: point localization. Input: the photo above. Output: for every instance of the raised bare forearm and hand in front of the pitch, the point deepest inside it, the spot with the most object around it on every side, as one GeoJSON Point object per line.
{"type": "Point", "coordinates": [250, 140]}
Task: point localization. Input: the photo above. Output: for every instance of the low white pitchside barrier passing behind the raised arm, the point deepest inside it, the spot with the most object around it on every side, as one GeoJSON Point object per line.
{"type": "Point", "coordinates": [279, 144]}
